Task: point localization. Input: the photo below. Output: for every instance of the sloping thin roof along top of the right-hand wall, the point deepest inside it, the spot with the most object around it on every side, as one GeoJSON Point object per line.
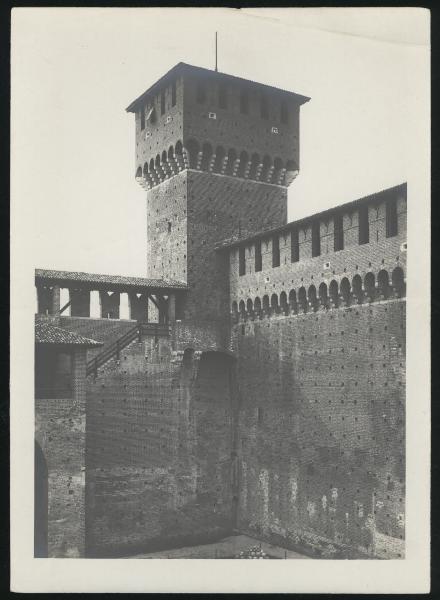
{"type": "Point", "coordinates": [376, 197]}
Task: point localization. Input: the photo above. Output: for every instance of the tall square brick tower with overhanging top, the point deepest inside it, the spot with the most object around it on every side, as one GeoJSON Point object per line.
{"type": "Point", "coordinates": [216, 154]}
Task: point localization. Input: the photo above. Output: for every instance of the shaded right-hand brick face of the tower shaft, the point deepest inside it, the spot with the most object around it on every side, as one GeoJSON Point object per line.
{"type": "Point", "coordinates": [220, 207]}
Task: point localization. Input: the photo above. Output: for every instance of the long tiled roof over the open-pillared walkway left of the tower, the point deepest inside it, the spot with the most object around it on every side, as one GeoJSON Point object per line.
{"type": "Point", "coordinates": [66, 277]}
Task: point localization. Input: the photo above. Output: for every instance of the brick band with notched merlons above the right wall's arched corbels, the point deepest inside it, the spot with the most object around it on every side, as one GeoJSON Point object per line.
{"type": "Point", "coordinates": [380, 253]}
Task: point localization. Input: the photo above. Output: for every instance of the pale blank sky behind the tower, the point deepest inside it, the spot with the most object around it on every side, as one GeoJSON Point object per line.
{"type": "Point", "coordinates": [75, 71]}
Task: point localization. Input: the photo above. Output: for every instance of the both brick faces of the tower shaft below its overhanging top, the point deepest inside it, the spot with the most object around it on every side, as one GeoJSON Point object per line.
{"type": "Point", "coordinates": [205, 209]}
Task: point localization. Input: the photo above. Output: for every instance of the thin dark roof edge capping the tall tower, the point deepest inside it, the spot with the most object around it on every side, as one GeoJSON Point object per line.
{"type": "Point", "coordinates": [184, 68]}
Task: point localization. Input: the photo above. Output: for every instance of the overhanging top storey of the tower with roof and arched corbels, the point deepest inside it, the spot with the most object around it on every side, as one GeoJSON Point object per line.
{"type": "Point", "coordinates": [202, 119]}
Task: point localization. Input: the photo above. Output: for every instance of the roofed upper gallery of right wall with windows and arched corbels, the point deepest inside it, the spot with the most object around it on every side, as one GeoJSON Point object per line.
{"type": "Point", "coordinates": [350, 254]}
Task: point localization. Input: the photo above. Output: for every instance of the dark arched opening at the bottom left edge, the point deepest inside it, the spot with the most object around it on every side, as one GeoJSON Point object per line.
{"type": "Point", "coordinates": [40, 503]}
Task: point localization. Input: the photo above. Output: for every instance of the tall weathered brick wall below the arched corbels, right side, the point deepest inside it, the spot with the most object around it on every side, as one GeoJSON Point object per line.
{"type": "Point", "coordinates": [321, 430]}
